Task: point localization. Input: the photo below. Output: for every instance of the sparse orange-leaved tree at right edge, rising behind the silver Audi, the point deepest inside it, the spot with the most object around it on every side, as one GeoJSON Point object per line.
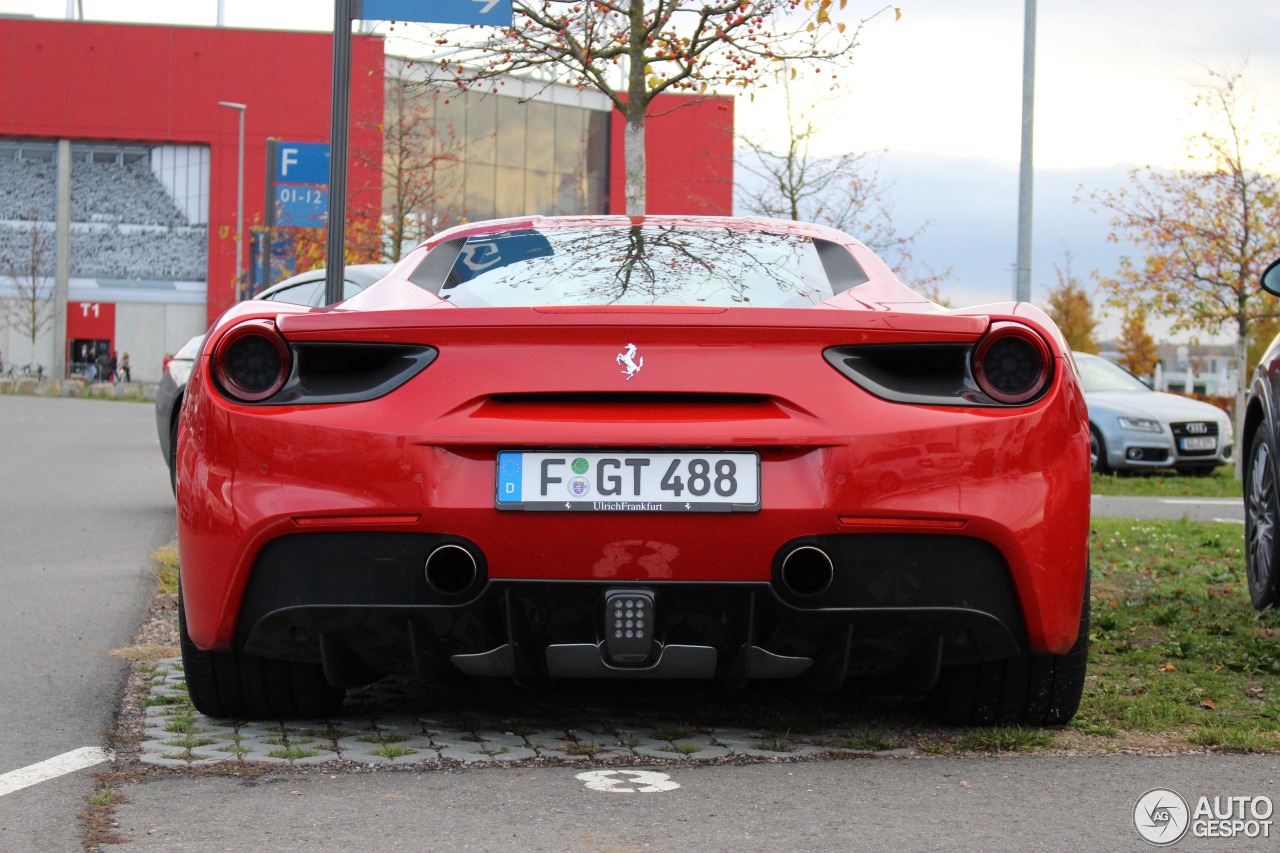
{"type": "Point", "coordinates": [1208, 234]}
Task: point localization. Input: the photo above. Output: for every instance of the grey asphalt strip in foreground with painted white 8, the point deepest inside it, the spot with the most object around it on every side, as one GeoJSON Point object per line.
{"type": "Point", "coordinates": [993, 805]}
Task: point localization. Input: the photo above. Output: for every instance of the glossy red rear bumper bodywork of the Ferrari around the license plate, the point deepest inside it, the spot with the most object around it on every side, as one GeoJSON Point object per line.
{"type": "Point", "coordinates": [843, 466]}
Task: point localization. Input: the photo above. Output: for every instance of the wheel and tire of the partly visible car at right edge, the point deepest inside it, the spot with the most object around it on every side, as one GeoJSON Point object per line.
{"type": "Point", "coordinates": [1261, 514]}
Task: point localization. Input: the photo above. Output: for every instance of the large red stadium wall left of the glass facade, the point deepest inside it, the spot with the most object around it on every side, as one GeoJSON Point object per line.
{"type": "Point", "coordinates": [152, 84]}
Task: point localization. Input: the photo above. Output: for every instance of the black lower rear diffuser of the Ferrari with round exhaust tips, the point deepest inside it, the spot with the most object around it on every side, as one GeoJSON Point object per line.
{"type": "Point", "coordinates": [893, 605]}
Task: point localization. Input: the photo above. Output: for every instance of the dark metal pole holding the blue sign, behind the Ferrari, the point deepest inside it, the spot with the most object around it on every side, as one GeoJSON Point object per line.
{"type": "Point", "coordinates": [339, 129]}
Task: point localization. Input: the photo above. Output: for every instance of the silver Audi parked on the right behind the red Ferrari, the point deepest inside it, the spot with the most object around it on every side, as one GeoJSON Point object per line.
{"type": "Point", "coordinates": [1133, 428]}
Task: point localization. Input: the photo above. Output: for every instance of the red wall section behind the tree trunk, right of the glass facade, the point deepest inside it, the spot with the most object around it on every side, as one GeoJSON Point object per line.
{"type": "Point", "coordinates": [689, 149]}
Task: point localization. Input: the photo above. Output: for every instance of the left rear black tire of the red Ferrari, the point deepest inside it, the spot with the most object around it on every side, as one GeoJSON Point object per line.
{"type": "Point", "coordinates": [236, 686]}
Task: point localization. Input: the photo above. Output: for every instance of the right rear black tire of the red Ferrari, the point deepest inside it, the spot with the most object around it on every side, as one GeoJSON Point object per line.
{"type": "Point", "coordinates": [1026, 690]}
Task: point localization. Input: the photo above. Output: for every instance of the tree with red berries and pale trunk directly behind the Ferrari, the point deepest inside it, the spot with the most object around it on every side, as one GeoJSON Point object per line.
{"type": "Point", "coordinates": [632, 52]}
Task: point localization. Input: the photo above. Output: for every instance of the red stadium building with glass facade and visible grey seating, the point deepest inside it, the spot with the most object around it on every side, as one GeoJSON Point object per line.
{"type": "Point", "coordinates": [154, 175]}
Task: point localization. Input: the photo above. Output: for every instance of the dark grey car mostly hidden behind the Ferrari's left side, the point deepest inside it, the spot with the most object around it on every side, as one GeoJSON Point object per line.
{"type": "Point", "coordinates": [304, 289]}
